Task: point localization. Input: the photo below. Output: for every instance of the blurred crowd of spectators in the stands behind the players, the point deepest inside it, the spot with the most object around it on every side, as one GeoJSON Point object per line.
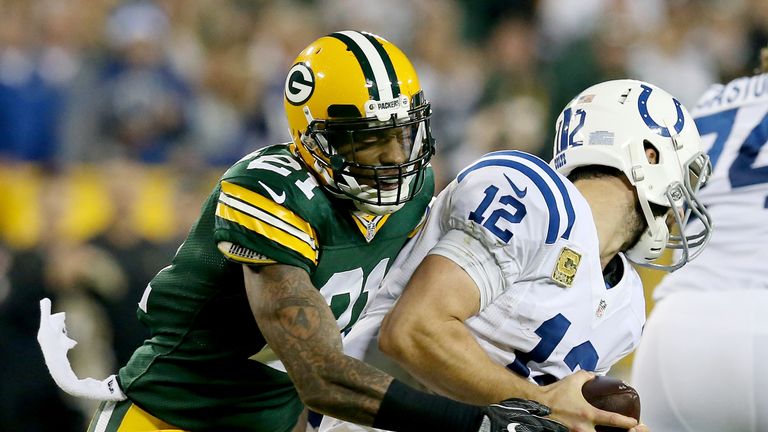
{"type": "Point", "coordinates": [117, 117]}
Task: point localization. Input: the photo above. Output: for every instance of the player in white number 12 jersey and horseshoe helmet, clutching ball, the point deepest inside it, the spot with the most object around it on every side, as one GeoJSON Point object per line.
{"type": "Point", "coordinates": [522, 275]}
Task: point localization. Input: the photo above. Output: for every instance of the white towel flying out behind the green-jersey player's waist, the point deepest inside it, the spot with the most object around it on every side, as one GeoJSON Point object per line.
{"type": "Point", "coordinates": [53, 339]}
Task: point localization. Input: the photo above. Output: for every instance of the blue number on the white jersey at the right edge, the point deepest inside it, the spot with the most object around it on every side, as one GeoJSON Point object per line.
{"type": "Point", "coordinates": [741, 173]}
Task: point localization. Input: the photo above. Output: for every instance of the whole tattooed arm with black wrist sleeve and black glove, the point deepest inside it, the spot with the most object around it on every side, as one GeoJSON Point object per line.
{"type": "Point", "coordinates": [300, 328]}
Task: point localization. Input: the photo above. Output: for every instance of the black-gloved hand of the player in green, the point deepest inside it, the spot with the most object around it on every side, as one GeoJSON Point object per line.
{"type": "Point", "coordinates": [518, 415]}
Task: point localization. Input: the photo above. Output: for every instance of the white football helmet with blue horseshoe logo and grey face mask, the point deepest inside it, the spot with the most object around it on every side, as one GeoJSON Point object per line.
{"type": "Point", "coordinates": [612, 124]}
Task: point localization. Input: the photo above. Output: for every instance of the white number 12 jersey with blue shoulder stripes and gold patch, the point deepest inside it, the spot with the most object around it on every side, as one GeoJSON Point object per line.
{"type": "Point", "coordinates": [526, 236]}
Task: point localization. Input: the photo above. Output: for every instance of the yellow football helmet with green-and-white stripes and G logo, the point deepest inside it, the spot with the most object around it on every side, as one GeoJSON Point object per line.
{"type": "Point", "coordinates": [346, 93]}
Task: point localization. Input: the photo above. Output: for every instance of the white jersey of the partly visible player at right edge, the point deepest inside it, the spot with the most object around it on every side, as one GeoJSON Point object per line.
{"type": "Point", "coordinates": [733, 122]}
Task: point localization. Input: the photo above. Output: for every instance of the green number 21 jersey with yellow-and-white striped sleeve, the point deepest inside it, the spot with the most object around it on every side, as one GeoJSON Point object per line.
{"type": "Point", "coordinates": [206, 365]}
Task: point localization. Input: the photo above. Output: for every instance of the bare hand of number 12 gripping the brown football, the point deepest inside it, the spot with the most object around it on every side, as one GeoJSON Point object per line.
{"type": "Point", "coordinates": [570, 408]}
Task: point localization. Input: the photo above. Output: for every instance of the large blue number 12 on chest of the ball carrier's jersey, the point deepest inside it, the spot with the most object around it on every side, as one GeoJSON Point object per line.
{"type": "Point", "coordinates": [551, 333]}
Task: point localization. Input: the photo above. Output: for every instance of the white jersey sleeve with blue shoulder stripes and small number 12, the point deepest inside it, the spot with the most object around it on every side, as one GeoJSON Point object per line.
{"type": "Point", "coordinates": [504, 212]}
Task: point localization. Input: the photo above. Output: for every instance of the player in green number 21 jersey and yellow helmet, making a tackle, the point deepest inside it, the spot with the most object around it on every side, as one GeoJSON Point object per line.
{"type": "Point", "coordinates": [288, 250]}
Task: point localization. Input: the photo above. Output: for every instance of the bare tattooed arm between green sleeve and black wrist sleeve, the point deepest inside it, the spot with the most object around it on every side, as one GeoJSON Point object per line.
{"type": "Point", "coordinates": [300, 328]}
